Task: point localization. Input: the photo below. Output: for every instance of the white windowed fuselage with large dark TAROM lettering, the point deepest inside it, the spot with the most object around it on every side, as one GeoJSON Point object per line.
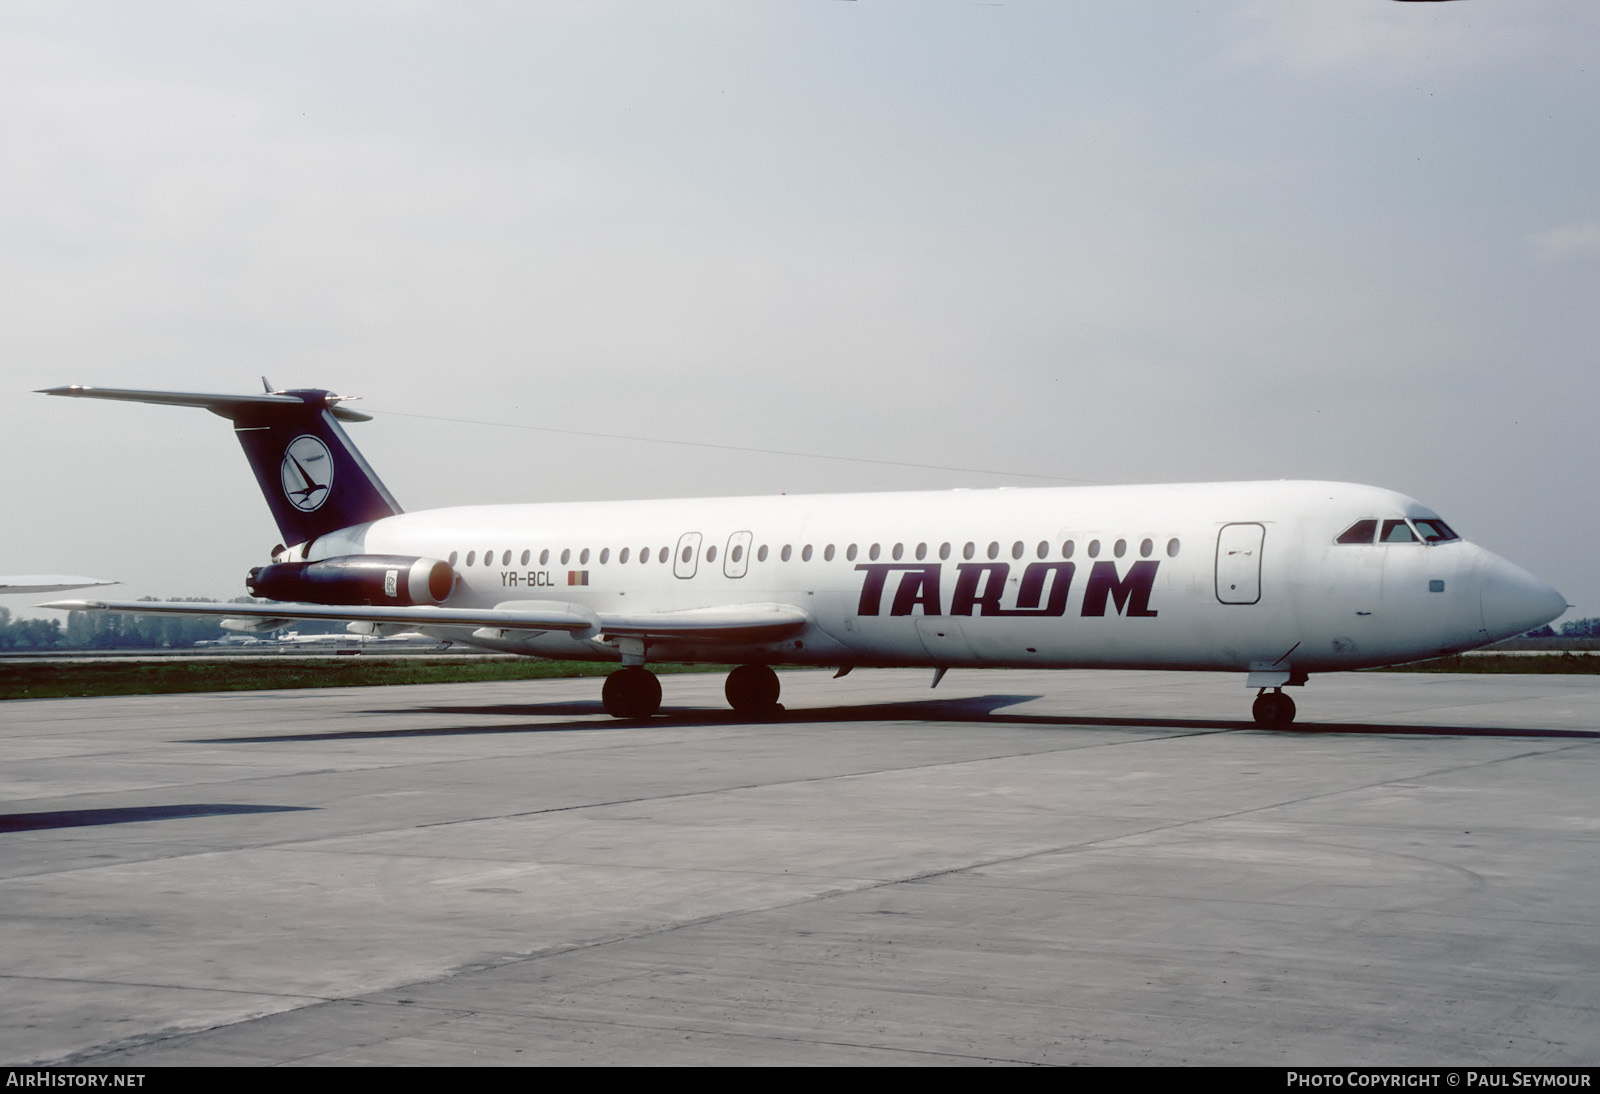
{"type": "Point", "coordinates": [1215, 577]}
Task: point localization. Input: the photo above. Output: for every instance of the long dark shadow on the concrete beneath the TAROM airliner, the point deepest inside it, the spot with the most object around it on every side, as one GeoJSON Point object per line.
{"type": "Point", "coordinates": [590, 717]}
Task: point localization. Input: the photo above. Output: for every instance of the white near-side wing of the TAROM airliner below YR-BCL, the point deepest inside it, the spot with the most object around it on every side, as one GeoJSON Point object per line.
{"type": "Point", "coordinates": [734, 623]}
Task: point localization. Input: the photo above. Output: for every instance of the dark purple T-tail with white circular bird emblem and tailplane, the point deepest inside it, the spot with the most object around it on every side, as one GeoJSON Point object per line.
{"type": "Point", "coordinates": [313, 477]}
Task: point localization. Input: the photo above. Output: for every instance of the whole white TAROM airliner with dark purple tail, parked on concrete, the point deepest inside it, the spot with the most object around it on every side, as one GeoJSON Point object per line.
{"type": "Point", "coordinates": [1273, 580]}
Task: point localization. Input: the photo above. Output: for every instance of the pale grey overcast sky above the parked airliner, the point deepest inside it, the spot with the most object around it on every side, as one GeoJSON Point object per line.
{"type": "Point", "coordinates": [1103, 242]}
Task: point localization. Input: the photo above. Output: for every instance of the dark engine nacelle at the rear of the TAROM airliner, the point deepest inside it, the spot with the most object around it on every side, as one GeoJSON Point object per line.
{"type": "Point", "coordinates": [356, 580]}
